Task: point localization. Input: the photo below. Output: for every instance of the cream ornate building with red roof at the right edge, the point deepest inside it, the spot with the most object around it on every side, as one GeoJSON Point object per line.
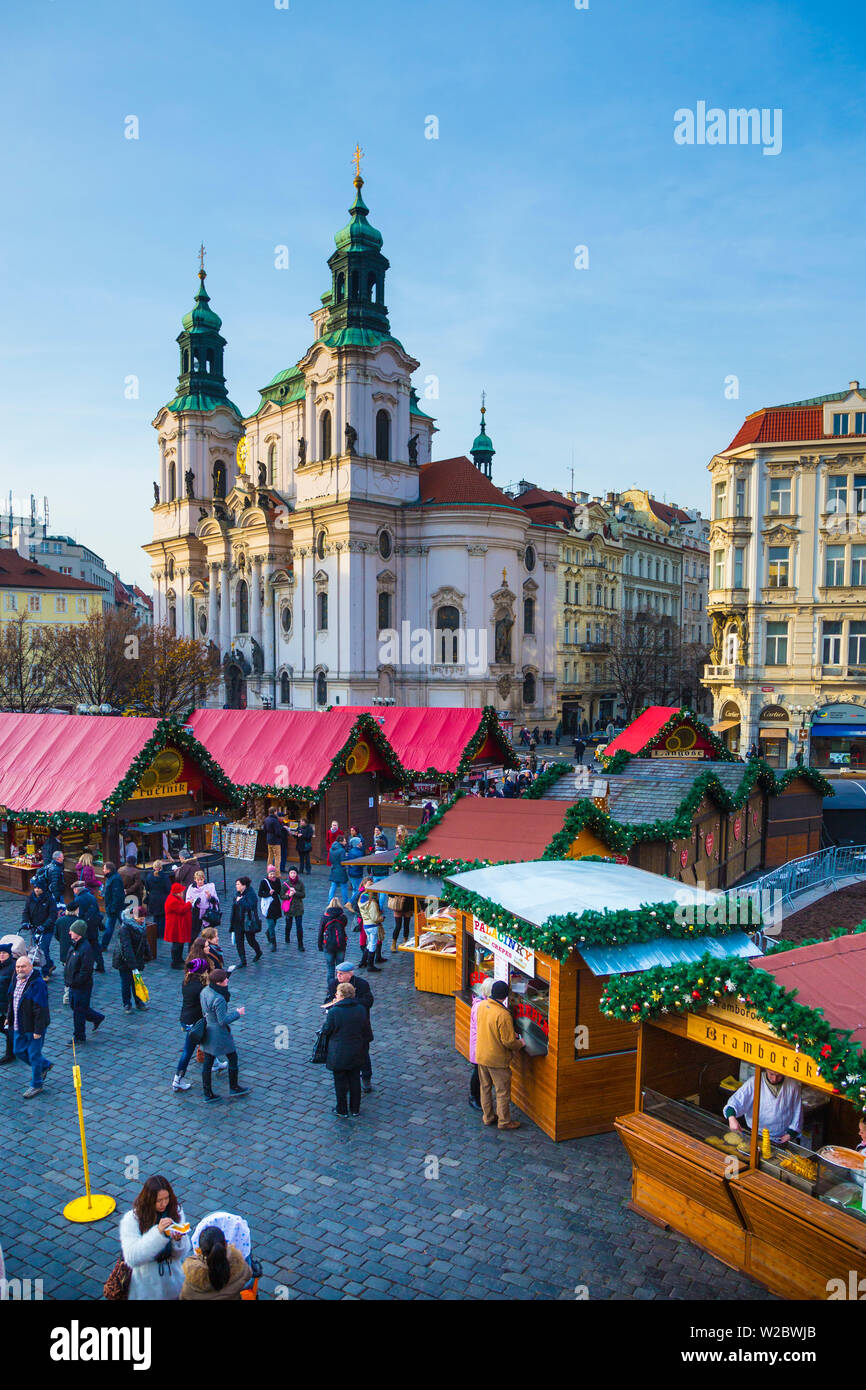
{"type": "Point", "coordinates": [789, 582]}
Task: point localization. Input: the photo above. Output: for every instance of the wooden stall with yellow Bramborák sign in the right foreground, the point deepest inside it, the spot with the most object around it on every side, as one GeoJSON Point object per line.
{"type": "Point", "coordinates": [790, 1214]}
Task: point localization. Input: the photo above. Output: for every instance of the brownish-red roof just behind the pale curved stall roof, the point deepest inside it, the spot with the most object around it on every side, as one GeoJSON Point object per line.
{"type": "Point", "coordinates": [486, 828]}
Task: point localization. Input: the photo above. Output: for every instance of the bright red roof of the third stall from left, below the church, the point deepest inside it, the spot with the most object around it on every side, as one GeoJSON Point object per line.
{"type": "Point", "coordinates": [437, 739]}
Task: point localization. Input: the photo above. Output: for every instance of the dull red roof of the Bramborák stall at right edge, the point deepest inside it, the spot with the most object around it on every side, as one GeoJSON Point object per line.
{"type": "Point", "coordinates": [828, 976]}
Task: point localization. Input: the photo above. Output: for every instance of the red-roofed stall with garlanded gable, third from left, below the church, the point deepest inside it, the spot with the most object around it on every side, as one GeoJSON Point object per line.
{"type": "Point", "coordinates": [436, 747]}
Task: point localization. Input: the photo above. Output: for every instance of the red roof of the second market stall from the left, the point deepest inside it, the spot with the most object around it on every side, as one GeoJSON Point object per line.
{"type": "Point", "coordinates": [283, 747]}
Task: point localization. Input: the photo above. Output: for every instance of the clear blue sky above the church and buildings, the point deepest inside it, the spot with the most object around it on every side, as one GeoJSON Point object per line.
{"type": "Point", "coordinates": [555, 131]}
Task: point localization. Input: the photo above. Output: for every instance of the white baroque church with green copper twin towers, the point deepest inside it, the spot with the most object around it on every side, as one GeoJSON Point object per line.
{"type": "Point", "coordinates": [319, 546]}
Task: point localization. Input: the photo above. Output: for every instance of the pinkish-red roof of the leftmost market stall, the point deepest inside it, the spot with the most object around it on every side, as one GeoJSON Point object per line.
{"type": "Point", "coordinates": [67, 762]}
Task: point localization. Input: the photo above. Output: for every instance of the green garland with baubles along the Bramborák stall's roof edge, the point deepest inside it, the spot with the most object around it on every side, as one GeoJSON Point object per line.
{"type": "Point", "coordinates": [685, 989]}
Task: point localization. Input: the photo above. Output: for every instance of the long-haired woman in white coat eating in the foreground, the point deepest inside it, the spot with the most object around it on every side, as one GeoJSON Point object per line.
{"type": "Point", "coordinates": [152, 1249]}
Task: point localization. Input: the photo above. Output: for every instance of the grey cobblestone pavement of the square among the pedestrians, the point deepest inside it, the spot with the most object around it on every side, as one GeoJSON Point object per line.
{"type": "Point", "coordinates": [416, 1200]}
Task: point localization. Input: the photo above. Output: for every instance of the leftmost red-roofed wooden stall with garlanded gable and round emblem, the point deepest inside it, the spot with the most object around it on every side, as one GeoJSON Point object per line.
{"type": "Point", "coordinates": [91, 779]}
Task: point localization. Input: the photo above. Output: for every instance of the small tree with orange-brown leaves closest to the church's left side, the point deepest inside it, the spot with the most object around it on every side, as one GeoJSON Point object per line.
{"type": "Point", "coordinates": [172, 673]}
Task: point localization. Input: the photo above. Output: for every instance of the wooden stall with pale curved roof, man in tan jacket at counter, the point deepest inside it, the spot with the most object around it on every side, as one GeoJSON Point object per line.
{"type": "Point", "coordinates": [555, 931]}
